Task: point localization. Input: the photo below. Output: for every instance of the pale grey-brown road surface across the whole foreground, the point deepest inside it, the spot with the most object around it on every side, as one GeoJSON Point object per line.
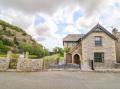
{"type": "Point", "coordinates": [59, 80]}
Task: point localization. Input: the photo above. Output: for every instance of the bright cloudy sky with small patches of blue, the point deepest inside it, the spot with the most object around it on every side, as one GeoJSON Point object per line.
{"type": "Point", "coordinates": [49, 21]}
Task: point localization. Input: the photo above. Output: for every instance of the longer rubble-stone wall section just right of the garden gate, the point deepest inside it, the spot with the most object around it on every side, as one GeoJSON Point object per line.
{"type": "Point", "coordinates": [25, 64]}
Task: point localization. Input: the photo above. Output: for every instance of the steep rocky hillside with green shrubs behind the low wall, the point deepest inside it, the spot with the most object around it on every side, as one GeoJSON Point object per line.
{"type": "Point", "coordinates": [18, 41]}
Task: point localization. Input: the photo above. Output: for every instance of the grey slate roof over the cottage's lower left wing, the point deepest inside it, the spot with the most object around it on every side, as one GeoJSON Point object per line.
{"type": "Point", "coordinates": [73, 37]}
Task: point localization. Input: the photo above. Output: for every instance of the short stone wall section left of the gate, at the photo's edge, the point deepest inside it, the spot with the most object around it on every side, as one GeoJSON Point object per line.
{"type": "Point", "coordinates": [4, 64]}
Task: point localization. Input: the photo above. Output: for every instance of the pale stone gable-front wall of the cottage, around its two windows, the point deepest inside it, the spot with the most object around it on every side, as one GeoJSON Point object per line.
{"type": "Point", "coordinates": [108, 47]}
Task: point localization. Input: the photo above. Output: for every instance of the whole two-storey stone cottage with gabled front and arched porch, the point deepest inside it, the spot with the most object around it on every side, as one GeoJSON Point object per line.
{"type": "Point", "coordinates": [98, 45]}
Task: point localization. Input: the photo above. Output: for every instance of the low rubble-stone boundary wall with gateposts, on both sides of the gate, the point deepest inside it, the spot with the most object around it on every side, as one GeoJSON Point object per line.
{"type": "Point", "coordinates": [23, 63]}
